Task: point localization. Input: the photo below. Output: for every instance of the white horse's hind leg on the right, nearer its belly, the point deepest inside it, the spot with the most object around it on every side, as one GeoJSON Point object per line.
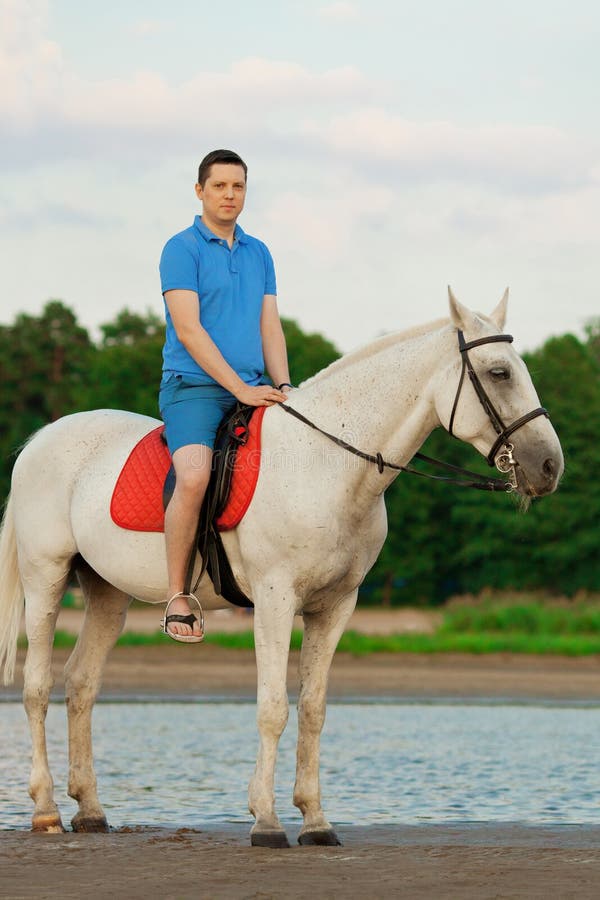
{"type": "Point", "coordinates": [106, 608]}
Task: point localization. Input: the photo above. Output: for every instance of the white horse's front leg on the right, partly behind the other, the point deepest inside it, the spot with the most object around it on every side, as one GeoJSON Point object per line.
{"type": "Point", "coordinates": [322, 632]}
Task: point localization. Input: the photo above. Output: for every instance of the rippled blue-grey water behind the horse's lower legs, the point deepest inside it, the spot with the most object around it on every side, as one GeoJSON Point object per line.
{"type": "Point", "coordinates": [188, 764]}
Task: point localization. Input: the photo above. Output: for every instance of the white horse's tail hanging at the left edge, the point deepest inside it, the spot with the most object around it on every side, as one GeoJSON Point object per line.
{"type": "Point", "coordinates": [11, 594]}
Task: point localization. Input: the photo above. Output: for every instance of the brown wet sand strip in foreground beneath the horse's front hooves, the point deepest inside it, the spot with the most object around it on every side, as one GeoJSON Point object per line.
{"type": "Point", "coordinates": [420, 862]}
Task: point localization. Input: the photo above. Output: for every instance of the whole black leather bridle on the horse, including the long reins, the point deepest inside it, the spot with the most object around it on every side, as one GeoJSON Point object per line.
{"type": "Point", "coordinates": [505, 461]}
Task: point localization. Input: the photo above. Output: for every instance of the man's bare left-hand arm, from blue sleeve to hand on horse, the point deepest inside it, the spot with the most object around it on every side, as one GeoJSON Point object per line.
{"type": "Point", "coordinates": [184, 308]}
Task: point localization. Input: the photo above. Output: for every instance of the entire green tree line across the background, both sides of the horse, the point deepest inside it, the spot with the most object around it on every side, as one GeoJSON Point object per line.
{"type": "Point", "coordinates": [442, 540]}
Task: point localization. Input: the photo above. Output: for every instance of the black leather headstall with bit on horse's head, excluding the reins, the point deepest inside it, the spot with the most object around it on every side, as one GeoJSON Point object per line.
{"type": "Point", "coordinates": [505, 461]}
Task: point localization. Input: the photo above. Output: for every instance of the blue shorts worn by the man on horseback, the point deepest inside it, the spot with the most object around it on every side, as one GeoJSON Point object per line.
{"type": "Point", "coordinates": [191, 412]}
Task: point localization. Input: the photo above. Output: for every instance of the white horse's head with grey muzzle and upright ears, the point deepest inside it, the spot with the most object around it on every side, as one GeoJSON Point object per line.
{"type": "Point", "coordinates": [486, 397]}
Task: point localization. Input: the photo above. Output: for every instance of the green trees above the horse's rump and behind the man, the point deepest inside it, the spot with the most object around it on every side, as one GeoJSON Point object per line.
{"type": "Point", "coordinates": [49, 367]}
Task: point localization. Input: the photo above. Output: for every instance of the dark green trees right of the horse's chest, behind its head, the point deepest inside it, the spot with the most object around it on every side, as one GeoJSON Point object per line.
{"type": "Point", "coordinates": [446, 540]}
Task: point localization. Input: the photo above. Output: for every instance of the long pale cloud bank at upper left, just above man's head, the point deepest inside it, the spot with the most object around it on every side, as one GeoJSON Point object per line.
{"type": "Point", "coordinates": [44, 104]}
